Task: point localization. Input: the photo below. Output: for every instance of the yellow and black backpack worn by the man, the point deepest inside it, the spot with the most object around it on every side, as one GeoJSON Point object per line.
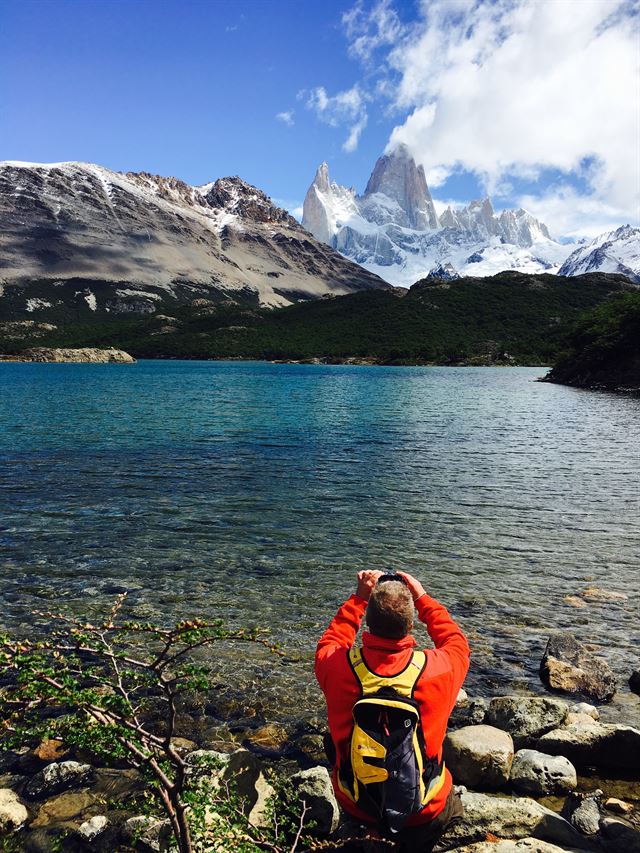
{"type": "Point", "coordinates": [387, 773]}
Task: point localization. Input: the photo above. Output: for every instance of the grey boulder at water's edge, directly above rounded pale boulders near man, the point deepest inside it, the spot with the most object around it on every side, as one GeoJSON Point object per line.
{"type": "Point", "coordinates": [526, 717]}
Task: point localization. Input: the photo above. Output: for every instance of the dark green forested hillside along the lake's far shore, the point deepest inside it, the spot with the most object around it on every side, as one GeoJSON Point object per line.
{"type": "Point", "coordinates": [508, 318]}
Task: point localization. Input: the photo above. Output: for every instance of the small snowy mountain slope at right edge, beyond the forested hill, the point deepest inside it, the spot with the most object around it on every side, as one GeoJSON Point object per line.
{"type": "Point", "coordinates": [617, 251]}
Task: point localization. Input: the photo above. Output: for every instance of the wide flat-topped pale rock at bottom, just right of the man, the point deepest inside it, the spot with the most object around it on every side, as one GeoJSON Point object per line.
{"type": "Point", "coordinates": [513, 818]}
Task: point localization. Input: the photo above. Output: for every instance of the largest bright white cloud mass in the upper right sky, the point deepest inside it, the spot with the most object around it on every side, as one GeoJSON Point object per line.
{"type": "Point", "coordinates": [510, 88]}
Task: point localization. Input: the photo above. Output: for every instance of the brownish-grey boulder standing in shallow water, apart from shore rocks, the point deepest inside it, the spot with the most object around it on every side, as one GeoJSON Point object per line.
{"type": "Point", "coordinates": [569, 667]}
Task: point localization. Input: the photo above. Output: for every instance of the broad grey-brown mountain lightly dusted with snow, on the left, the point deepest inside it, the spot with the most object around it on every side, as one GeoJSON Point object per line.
{"type": "Point", "coordinates": [81, 237]}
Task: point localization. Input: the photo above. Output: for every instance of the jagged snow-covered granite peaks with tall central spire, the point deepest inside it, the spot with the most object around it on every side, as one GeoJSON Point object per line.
{"type": "Point", "coordinates": [393, 228]}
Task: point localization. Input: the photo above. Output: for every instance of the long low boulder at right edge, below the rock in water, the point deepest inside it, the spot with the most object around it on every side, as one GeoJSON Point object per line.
{"type": "Point", "coordinates": [595, 744]}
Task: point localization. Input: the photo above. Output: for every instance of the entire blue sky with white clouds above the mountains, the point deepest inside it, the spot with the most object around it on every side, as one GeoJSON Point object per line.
{"type": "Point", "coordinates": [269, 89]}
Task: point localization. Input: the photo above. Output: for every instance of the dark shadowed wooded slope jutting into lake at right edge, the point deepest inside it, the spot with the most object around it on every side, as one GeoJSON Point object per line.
{"type": "Point", "coordinates": [604, 348]}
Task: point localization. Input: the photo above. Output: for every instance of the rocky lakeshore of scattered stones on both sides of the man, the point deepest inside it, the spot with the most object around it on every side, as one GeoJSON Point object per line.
{"type": "Point", "coordinates": [537, 774]}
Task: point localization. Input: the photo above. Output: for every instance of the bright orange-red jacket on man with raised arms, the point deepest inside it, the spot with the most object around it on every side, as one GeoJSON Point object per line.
{"type": "Point", "coordinates": [435, 692]}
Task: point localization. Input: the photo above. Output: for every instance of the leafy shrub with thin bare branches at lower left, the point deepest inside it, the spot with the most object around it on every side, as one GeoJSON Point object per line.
{"type": "Point", "coordinates": [113, 688]}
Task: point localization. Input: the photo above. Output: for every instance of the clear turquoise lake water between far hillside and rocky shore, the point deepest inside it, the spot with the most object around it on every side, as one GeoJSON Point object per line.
{"type": "Point", "coordinates": [256, 491]}
